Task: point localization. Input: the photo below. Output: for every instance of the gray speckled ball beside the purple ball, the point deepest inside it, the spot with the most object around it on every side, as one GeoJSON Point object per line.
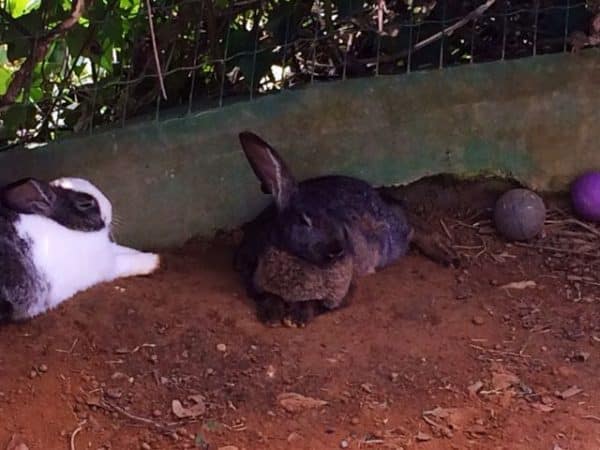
{"type": "Point", "coordinates": [519, 214]}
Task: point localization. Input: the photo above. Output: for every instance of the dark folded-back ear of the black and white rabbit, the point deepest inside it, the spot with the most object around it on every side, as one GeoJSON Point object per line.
{"type": "Point", "coordinates": [29, 196]}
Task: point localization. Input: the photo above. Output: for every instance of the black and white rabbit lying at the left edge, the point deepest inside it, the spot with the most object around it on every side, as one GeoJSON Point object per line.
{"type": "Point", "coordinates": [55, 241]}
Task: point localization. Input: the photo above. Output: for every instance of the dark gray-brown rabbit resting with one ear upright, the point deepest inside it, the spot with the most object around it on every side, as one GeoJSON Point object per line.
{"type": "Point", "coordinates": [299, 256]}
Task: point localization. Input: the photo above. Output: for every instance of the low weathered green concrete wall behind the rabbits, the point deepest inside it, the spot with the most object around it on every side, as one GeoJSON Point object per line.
{"type": "Point", "coordinates": [536, 119]}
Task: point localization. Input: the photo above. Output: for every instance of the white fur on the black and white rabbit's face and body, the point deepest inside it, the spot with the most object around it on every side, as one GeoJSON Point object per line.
{"type": "Point", "coordinates": [72, 261]}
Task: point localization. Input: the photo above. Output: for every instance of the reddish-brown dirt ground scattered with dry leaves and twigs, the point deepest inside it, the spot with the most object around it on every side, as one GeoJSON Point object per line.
{"type": "Point", "coordinates": [424, 357]}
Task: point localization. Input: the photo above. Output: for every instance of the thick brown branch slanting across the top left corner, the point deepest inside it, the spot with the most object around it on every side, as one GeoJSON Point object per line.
{"type": "Point", "coordinates": [22, 76]}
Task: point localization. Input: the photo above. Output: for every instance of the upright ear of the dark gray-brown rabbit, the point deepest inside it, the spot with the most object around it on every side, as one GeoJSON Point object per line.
{"type": "Point", "coordinates": [276, 179]}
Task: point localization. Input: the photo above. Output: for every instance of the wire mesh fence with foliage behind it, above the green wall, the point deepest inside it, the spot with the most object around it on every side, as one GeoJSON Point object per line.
{"type": "Point", "coordinates": [75, 67]}
